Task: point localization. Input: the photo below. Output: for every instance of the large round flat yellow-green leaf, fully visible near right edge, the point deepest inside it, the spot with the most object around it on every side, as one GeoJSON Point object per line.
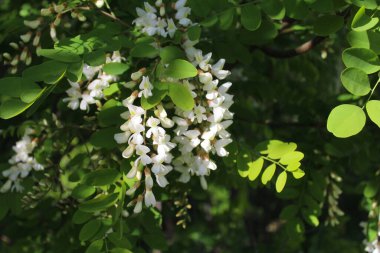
{"type": "Point", "coordinates": [346, 120]}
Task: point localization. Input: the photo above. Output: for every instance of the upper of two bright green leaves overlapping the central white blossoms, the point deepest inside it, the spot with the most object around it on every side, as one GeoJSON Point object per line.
{"type": "Point", "coordinates": [180, 69]}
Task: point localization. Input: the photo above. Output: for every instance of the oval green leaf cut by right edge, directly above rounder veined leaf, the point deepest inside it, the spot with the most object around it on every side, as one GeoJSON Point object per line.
{"type": "Point", "coordinates": [361, 58]}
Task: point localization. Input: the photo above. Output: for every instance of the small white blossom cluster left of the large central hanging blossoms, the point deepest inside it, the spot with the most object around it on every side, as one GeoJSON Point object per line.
{"type": "Point", "coordinates": [97, 81]}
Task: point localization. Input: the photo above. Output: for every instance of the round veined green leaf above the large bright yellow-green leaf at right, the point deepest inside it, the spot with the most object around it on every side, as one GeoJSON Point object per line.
{"type": "Point", "coordinates": [355, 81]}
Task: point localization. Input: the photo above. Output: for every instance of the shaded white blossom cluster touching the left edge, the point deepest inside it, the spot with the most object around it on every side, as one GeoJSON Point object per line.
{"type": "Point", "coordinates": [22, 163]}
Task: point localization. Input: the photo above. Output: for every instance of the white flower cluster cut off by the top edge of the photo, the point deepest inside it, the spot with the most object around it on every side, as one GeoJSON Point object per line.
{"type": "Point", "coordinates": [151, 24]}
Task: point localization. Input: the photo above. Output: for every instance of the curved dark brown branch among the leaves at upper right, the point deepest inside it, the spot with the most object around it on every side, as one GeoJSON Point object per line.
{"type": "Point", "coordinates": [302, 49]}
